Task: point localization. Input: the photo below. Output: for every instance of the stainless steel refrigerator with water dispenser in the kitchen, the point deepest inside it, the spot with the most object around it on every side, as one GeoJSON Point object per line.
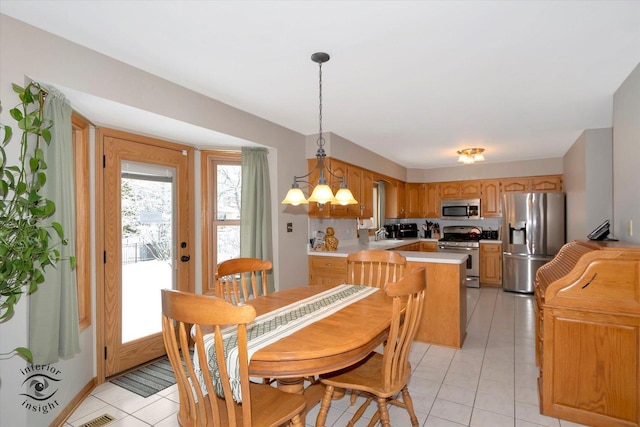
{"type": "Point", "coordinates": [533, 231]}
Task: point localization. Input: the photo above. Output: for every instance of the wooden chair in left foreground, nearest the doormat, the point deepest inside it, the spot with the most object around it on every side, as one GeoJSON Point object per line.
{"type": "Point", "coordinates": [262, 405]}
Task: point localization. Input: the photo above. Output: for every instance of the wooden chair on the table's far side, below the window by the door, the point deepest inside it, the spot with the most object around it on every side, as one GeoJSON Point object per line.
{"type": "Point", "coordinates": [240, 279]}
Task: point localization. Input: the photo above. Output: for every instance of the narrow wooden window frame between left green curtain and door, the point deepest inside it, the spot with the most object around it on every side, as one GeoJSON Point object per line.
{"type": "Point", "coordinates": [80, 135]}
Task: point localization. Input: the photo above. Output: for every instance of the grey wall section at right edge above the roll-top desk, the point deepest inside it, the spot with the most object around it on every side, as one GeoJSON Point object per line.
{"type": "Point", "coordinates": [626, 155]}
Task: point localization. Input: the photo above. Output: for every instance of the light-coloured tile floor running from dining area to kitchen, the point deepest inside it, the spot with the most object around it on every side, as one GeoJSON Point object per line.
{"type": "Point", "coordinates": [490, 382]}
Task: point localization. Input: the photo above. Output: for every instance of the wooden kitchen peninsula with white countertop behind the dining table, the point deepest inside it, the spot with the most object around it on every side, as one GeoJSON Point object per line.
{"type": "Point", "coordinates": [445, 316]}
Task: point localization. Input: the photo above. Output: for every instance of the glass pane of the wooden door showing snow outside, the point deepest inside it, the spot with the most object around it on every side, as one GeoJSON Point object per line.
{"type": "Point", "coordinates": [147, 193]}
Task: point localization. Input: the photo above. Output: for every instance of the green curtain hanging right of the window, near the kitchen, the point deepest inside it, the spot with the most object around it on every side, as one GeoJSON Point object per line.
{"type": "Point", "coordinates": [255, 210]}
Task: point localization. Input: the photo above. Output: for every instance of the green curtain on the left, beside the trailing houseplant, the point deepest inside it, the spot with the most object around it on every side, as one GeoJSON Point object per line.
{"type": "Point", "coordinates": [53, 308]}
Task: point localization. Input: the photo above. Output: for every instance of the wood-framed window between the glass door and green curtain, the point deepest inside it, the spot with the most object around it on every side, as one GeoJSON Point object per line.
{"type": "Point", "coordinates": [221, 191]}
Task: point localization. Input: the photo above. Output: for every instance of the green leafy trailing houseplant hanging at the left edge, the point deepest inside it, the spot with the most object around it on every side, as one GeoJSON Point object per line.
{"type": "Point", "coordinates": [28, 239]}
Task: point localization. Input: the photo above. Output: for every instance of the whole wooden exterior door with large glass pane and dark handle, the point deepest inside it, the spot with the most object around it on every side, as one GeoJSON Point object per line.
{"type": "Point", "coordinates": [147, 221]}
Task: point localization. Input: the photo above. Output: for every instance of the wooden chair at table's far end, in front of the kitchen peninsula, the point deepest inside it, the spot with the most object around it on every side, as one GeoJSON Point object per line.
{"type": "Point", "coordinates": [375, 267]}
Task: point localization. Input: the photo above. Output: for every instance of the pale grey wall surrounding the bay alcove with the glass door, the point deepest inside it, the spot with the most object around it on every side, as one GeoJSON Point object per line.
{"type": "Point", "coordinates": [27, 51]}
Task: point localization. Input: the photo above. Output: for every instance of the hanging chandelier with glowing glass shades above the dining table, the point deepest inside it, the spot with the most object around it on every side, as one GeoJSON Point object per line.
{"type": "Point", "coordinates": [322, 192]}
